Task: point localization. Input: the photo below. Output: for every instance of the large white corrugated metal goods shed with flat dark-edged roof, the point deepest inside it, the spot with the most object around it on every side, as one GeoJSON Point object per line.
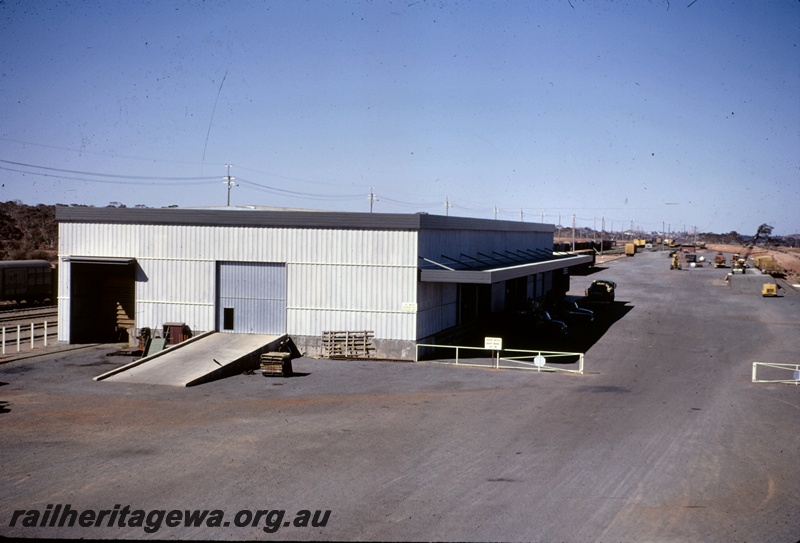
{"type": "Point", "coordinates": [404, 278]}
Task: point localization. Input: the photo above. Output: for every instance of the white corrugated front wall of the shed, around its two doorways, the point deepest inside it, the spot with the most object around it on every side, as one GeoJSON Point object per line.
{"type": "Point", "coordinates": [336, 279]}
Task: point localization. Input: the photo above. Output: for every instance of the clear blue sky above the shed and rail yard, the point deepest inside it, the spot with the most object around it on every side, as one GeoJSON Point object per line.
{"type": "Point", "coordinates": [643, 113]}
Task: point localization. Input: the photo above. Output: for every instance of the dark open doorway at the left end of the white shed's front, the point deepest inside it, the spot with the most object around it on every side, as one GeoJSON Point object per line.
{"type": "Point", "coordinates": [102, 300]}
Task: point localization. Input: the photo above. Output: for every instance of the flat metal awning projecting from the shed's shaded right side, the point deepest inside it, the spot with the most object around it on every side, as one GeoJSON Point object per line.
{"type": "Point", "coordinates": [486, 269]}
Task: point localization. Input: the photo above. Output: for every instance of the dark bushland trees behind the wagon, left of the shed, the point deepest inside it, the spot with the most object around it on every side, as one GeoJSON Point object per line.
{"type": "Point", "coordinates": [28, 232]}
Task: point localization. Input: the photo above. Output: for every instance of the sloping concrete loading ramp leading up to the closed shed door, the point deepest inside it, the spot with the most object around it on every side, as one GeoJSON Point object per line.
{"type": "Point", "coordinates": [201, 359]}
